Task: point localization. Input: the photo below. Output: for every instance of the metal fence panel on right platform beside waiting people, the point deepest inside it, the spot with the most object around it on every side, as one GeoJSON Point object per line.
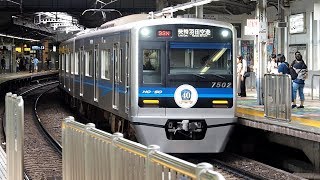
{"type": "Point", "coordinates": [277, 96]}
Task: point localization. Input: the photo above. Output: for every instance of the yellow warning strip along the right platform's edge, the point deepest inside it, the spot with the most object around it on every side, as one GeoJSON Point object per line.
{"type": "Point", "coordinates": [304, 121]}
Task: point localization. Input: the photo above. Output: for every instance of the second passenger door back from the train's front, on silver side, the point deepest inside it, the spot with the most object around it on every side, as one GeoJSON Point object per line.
{"type": "Point", "coordinates": [96, 72]}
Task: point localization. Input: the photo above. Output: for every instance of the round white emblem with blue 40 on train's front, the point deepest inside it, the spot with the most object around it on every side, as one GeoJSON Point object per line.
{"type": "Point", "coordinates": [186, 96]}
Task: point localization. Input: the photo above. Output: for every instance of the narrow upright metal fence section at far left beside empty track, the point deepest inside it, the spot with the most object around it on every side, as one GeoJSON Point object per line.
{"type": "Point", "coordinates": [14, 127]}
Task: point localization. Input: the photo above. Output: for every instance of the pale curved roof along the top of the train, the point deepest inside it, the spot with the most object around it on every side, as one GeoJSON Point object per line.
{"type": "Point", "coordinates": [141, 20]}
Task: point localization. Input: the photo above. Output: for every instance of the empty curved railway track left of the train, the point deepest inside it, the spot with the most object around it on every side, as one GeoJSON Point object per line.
{"type": "Point", "coordinates": [41, 159]}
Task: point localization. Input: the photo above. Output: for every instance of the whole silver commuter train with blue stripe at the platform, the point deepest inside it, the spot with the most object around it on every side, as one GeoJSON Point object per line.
{"type": "Point", "coordinates": [169, 82]}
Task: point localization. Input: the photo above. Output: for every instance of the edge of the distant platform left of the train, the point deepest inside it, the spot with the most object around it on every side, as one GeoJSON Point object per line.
{"type": "Point", "coordinates": [9, 76]}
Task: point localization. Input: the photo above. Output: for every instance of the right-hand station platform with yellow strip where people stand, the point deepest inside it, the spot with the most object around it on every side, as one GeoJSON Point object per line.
{"type": "Point", "coordinates": [305, 122]}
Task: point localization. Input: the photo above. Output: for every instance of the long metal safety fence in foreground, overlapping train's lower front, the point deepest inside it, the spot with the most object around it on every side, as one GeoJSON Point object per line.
{"type": "Point", "coordinates": [89, 153]}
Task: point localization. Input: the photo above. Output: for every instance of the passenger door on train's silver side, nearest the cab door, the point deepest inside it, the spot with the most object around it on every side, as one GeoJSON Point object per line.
{"type": "Point", "coordinates": [116, 76]}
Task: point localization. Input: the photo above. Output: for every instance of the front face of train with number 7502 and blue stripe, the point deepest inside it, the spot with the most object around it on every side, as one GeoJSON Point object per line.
{"type": "Point", "coordinates": [184, 87]}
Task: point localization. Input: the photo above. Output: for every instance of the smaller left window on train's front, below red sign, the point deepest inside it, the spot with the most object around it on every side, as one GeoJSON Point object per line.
{"type": "Point", "coordinates": [151, 66]}
